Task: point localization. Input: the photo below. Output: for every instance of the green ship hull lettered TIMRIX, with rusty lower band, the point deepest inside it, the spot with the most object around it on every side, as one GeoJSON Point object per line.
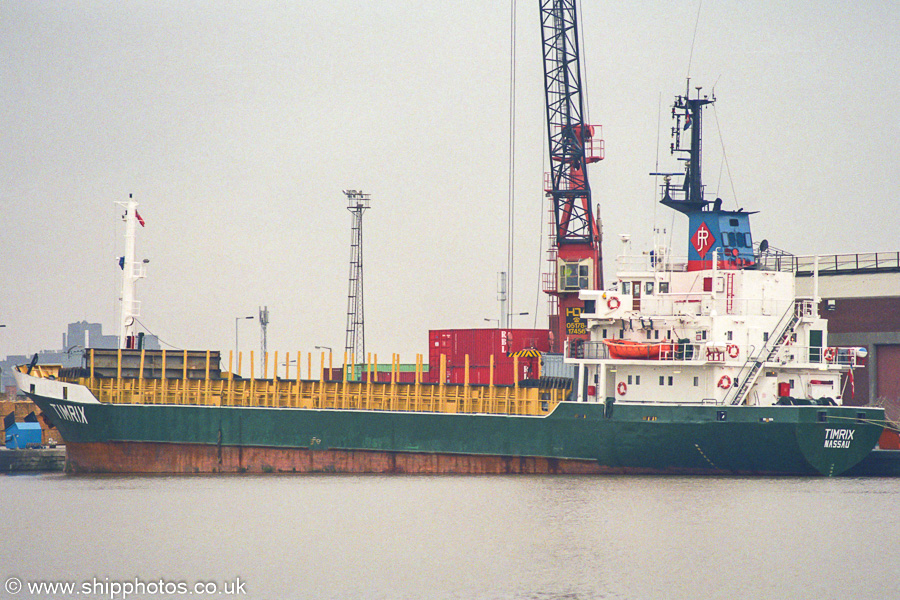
{"type": "Point", "coordinates": [573, 438]}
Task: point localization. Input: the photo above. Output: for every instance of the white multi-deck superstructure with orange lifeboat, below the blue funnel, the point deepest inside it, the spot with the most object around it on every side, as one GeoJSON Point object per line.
{"type": "Point", "coordinates": [709, 336]}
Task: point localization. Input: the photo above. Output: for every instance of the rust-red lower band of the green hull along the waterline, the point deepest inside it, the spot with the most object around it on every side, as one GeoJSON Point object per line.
{"type": "Point", "coordinates": [150, 457]}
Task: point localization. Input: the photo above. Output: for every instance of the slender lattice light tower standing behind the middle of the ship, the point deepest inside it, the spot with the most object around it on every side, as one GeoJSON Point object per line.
{"type": "Point", "coordinates": [355, 344]}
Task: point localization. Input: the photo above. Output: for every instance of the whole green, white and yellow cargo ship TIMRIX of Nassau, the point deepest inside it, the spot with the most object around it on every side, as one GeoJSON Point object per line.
{"type": "Point", "coordinates": [708, 364]}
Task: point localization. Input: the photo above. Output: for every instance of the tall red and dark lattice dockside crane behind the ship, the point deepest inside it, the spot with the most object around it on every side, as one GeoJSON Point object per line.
{"type": "Point", "coordinates": [575, 255]}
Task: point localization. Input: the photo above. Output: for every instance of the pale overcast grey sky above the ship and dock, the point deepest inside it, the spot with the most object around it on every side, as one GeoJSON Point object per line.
{"type": "Point", "coordinates": [236, 126]}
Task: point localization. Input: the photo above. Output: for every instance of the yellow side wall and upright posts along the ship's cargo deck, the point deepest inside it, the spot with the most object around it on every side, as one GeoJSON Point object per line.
{"type": "Point", "coordinates": [324, 387]}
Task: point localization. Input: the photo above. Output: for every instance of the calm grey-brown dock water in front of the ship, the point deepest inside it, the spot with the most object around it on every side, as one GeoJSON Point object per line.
{"type": "Point", "coordinates": [454, 537]}
